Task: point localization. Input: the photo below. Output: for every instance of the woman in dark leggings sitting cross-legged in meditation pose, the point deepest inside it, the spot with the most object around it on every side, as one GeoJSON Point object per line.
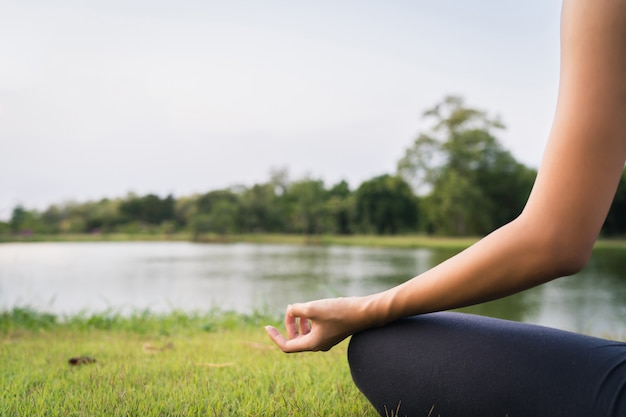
{"type": "Point", "coordinates": [461, 365]}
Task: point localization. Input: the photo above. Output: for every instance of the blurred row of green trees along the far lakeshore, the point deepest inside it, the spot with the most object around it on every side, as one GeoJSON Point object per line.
{"type": "Point", "coordinates": [455, 179]}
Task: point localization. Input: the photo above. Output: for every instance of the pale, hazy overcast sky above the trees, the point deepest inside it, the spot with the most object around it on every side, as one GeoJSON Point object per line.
{"type": "Point", "coordinates": [102, 98]}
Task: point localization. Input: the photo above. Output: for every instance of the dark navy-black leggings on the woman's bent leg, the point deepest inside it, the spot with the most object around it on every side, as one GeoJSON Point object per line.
{"type": "Point", "coordinates": [452, 365]}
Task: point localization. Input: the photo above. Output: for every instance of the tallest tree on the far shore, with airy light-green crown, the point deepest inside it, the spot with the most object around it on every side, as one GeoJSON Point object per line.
{"type": "Point", "coordinates": [473, 185]}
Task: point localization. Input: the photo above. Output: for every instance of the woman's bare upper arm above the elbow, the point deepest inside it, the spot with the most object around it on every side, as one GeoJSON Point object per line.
{"type": "Point", "coordinates": [585, 154]}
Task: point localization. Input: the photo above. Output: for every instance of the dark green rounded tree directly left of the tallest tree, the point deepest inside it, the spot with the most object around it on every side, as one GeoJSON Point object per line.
{"type": "Point", "coordinates": [386, 205]}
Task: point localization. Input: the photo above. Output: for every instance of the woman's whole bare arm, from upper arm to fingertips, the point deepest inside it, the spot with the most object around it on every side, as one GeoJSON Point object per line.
{"type": "Point", "coordinates": [554, 235]}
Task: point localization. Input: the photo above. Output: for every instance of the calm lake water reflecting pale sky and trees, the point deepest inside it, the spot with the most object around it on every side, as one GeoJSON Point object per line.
{"type": "Point", "coordinates": [67, 278]}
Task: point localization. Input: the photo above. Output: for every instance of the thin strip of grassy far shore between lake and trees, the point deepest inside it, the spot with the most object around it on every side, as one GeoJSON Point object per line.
{"type": "Point", "coordinates": [381, 241]}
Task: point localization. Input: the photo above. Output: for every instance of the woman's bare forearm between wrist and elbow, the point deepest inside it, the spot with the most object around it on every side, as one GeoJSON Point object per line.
{"type": "Point", "coordinates": [509, 260]}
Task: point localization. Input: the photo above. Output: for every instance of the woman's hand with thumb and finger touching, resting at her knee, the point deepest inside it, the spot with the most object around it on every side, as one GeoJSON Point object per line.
{"type": "Point", "coordinates": [320, 325]}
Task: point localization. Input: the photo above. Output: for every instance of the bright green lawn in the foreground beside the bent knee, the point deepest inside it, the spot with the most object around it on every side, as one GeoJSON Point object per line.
{"type": "Point", "coordinates": [217, 364]}
